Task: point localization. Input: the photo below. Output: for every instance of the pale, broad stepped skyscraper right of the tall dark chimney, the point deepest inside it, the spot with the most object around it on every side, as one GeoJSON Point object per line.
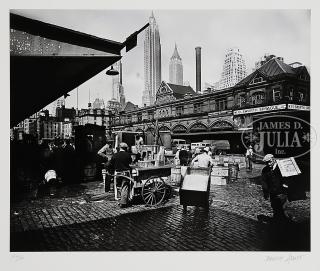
{"type": "Point", "coordinates": [234, 69]}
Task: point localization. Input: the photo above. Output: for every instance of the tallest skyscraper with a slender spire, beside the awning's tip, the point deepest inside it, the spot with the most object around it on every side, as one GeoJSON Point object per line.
{"type": "Point", "coordinates": [152, 62]}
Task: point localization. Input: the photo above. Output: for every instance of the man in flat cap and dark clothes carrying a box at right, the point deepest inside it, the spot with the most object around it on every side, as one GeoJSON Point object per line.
{"type": "Point", "coordinates": [273, 187]}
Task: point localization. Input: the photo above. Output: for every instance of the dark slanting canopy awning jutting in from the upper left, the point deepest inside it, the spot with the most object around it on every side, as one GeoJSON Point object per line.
{"type": "Point", "coordinates": [48, 61]}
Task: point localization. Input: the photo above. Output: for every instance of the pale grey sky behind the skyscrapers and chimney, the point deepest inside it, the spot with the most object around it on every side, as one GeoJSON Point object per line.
{"type": "Point", "coordinates": [284, 33]}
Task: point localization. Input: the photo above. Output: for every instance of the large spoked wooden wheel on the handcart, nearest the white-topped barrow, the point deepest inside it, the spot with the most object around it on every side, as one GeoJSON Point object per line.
{"type": "Point", "coordinates": [153, 191]}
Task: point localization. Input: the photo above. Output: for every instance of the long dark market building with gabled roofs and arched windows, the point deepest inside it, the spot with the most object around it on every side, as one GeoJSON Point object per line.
{"type": "Point", "coordinates": [224, 114]}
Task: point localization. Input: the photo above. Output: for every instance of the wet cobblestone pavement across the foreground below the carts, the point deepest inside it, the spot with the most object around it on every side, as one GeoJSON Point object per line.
{"type": "Point", "coordinates": [67, 222]}
